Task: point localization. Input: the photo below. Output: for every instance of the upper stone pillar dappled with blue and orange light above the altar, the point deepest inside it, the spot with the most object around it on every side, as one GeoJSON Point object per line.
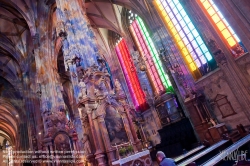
{"type": "Point", "coordinates": [73, 23]}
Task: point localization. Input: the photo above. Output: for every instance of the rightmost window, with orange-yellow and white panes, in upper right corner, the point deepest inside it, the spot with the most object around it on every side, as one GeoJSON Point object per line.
{"type": "Point", "coordinates": [222, 27]}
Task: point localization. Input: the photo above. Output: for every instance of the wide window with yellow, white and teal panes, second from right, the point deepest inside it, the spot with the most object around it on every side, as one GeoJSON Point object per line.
{"type": "Point", "coordinates": [188, 40]}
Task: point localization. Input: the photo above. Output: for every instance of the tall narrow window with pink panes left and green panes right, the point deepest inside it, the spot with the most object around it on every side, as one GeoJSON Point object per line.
{"type": "Point", "coordinates": [150, 56]}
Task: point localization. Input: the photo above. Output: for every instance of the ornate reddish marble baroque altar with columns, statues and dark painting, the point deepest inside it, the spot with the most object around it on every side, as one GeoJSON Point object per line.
{"type": "Point", "coordinates": [105, 116]}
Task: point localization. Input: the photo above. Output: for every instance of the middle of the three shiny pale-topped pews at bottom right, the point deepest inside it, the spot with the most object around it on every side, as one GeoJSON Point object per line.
{"type": "Point", "coordinates": [207, 153]}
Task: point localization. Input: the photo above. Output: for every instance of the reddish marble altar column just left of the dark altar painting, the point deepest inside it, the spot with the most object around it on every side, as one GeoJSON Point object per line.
{"type": "Point", "coordinates": [109, 149]}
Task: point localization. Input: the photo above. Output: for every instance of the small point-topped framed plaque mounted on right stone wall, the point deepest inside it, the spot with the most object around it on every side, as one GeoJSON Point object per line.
{"type": "Point", "coordinates": [224, 106]}
